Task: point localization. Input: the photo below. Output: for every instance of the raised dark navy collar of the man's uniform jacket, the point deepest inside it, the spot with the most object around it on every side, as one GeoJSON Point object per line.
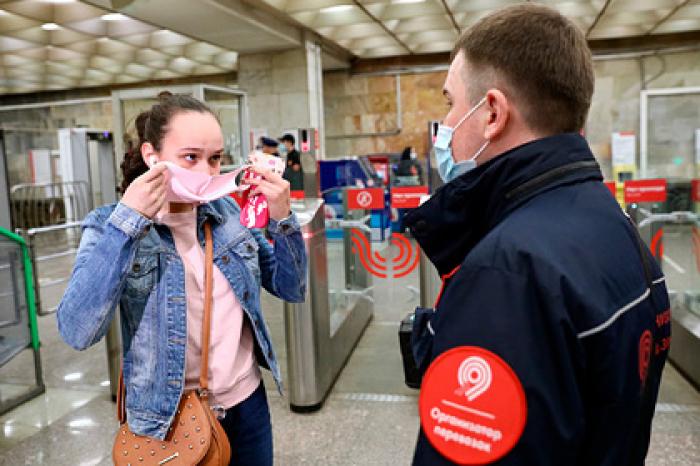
{"type": "Point", "coordinates": [463, 211]}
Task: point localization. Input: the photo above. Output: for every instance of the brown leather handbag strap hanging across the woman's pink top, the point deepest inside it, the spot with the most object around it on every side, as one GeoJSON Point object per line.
{"type": "Point", "coordinates": [206, 328]}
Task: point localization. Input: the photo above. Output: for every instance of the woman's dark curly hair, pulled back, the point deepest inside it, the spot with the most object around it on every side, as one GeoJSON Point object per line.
{"type": "Point", "coordinates": [151, 126]}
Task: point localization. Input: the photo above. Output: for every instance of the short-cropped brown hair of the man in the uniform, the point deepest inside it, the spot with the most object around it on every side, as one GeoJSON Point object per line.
{"type": "Point", "coordinates": [536, 57]}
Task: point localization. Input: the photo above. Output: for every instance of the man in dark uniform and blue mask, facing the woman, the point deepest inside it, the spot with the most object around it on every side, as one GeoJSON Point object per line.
{"type": "Point", "coordinates": [553, 314]}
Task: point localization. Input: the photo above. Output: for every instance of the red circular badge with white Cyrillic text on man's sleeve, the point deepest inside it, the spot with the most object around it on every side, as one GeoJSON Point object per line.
{"type": "Point", "coordinates": [472, 406]}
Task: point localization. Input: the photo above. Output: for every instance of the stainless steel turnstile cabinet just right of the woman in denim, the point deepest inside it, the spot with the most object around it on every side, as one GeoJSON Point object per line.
{"type": "Point", "coordinates": [322, 331]}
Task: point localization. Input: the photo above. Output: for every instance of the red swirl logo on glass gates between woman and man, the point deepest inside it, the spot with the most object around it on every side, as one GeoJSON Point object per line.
{"type": "Point", "coordinates": [404, 262]}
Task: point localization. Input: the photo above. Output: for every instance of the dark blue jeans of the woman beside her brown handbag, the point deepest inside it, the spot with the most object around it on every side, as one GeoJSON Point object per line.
{"type": "Point", "coordinates": [249, 430]}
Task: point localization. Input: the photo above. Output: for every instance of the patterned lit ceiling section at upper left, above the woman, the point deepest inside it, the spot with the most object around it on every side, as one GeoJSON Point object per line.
{"type": "Point", "coordinates": [46, 45]}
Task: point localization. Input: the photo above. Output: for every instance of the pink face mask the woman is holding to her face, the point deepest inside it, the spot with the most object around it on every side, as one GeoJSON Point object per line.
{"type": "Point", "coordinates": [196, 187]}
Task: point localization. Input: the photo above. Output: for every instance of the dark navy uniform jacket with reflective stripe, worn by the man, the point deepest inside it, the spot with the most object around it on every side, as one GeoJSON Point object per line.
{"type": "Point", "coordinates": [552, 277]}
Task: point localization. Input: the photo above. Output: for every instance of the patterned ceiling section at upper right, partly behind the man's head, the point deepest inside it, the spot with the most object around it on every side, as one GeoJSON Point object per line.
{"type": "Point", "coordinates": [432, 22]}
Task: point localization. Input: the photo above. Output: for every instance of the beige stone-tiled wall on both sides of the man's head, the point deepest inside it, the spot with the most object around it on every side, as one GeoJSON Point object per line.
{"type": "Point", "coordinates": [362, 104]}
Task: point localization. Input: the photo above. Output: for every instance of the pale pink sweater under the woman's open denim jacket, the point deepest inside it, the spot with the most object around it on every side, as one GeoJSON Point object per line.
{"type": "Point", "coordinates": [233, 373]}
